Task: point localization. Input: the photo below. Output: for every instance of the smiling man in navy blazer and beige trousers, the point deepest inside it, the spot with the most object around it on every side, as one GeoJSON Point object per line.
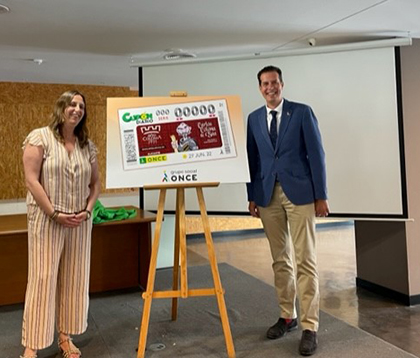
{"type": "Point", "coordinates": [287, 190]}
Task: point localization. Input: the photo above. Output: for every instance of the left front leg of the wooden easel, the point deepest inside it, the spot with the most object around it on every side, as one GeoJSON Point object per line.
{"type": "Point", "coordinates": [151, 279]}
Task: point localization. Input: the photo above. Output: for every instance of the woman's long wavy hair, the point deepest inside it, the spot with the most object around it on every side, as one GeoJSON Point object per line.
{"type": "Point", "coordinates": [57, 118]}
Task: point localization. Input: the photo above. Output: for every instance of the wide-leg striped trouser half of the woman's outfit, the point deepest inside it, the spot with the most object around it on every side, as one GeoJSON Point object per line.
{"type": "Point", "coordinates": [58, 279]}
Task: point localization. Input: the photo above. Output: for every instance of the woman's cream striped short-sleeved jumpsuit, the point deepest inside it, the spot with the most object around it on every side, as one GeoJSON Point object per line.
{"type": "Point", "coordinates": [59, 257]}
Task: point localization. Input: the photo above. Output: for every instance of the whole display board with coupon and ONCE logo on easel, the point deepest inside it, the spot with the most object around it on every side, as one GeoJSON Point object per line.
{"type": "Point", "coordinates": [160, 140]}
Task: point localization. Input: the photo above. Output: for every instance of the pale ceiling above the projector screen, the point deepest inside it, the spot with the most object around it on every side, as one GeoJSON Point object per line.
{"type": "Point", "coordinates": [98, 41]}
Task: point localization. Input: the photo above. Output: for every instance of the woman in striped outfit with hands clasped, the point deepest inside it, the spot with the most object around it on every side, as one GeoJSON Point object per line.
{"type": "Point", "coordinates": [61, 174]}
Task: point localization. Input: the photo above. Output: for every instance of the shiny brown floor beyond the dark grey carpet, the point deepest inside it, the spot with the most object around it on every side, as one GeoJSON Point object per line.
{"type": "Point", "coordinates": [388, 320]}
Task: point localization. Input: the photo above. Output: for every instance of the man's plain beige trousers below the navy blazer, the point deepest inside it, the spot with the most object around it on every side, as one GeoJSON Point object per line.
{"type": "Point", "coordinates": [291, 229]}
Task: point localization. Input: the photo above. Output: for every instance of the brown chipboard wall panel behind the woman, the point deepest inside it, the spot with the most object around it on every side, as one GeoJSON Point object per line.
{"type": "Point", "coordinates": [26, 106]}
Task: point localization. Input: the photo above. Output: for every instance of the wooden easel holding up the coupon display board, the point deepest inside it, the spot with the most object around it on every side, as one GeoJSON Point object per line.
{"type": "Point", "coordinates": [180, 259]}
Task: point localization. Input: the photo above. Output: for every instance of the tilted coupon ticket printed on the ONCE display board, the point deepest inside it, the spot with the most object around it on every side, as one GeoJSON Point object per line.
{"type": "Point", "coordinates": [176, 133]}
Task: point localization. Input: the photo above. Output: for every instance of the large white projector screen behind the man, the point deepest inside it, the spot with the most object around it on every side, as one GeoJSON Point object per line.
{"type": "Point", "coordinates": [354, 96]}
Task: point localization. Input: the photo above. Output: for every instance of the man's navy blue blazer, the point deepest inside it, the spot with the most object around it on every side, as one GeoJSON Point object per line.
{"type": "Point", "coordinates": [297, 161]}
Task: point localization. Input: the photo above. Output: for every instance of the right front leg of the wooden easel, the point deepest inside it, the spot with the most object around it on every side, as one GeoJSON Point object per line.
{"type": "Point", "coordinates": [216, 277]}
